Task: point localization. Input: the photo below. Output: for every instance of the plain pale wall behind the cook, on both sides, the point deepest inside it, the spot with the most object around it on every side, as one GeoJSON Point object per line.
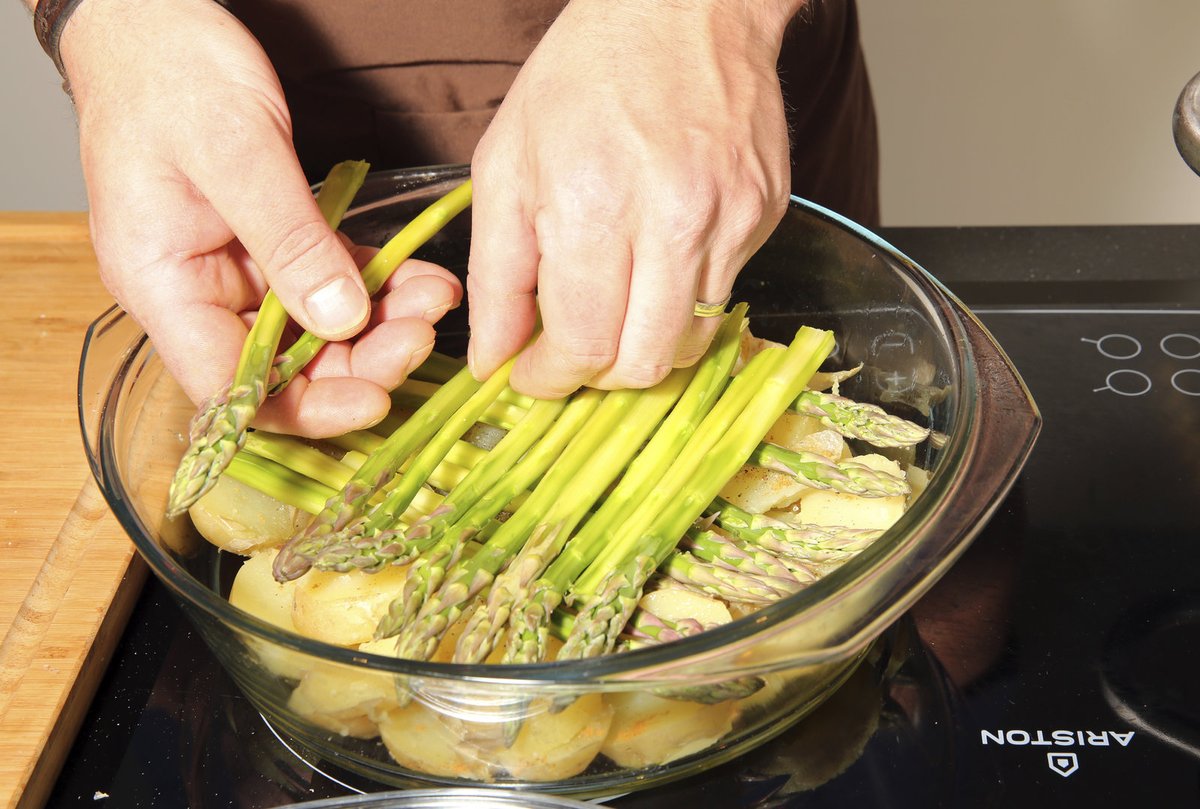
{"type": "Point", "coordinates": [1025, 112]}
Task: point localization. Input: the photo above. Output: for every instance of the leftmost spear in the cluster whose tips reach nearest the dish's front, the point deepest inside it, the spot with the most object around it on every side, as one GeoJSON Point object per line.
{"type": "Point", "coordinates": [428, 572]}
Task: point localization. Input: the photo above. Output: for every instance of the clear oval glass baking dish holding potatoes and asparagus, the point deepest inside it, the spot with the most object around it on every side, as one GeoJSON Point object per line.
{"type": "Point", "coordinates": [925, 356]}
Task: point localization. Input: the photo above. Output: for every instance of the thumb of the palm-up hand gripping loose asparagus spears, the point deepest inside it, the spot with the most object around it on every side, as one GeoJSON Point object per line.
{"type": "Point", "coordinates": [262, 195]}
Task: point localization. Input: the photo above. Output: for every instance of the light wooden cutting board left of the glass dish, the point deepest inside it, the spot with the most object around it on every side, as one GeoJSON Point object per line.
{"type": "Point", "coordinates": [69, 576]}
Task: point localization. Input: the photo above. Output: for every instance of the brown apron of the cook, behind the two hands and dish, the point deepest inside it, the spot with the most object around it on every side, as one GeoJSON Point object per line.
{"type": "Point", "coordinates": [415, 83]}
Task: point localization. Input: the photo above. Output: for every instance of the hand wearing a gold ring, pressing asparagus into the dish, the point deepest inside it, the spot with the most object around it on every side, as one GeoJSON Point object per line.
{"type": "Point", "coordinates": [640, 159]}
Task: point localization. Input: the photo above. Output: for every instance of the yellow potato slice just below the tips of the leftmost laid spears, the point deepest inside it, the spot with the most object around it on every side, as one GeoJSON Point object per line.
{"type": "Point", "coordinates": [345, 608]}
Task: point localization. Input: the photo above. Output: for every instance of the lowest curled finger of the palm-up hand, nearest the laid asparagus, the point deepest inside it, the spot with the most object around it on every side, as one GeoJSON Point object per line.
{"type": "Point", "coordinates": [322, 409]}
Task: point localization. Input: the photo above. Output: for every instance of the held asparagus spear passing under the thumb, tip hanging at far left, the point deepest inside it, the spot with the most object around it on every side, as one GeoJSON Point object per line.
{"type": "Point", "coordinates": [219, 429]}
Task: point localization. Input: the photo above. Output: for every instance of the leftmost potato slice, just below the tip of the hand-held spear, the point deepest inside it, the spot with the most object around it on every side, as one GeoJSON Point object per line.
{"type": "Point", "coordinates": [243, 520]}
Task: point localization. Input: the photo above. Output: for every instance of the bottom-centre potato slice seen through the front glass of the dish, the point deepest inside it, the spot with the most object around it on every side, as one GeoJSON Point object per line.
{"type": "Point", "coordinates": [553, 746]}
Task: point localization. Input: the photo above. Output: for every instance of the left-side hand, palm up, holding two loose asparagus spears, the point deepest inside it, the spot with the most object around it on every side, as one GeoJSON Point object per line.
{"type": "Point", "coordinates": [199, 203]}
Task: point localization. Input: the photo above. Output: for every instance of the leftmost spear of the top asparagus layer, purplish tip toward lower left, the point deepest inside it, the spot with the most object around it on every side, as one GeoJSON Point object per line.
{"type": "Point", "coordinates": [380, 469]}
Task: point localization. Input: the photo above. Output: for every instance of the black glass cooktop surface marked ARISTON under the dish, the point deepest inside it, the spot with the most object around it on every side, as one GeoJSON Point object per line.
{"type": "Point", "coordinates": [1055, 666]}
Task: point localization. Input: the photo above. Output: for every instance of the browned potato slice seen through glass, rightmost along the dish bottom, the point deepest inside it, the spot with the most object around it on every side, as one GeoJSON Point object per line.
{"type": "Point", "coordinates": [650, 730]}
